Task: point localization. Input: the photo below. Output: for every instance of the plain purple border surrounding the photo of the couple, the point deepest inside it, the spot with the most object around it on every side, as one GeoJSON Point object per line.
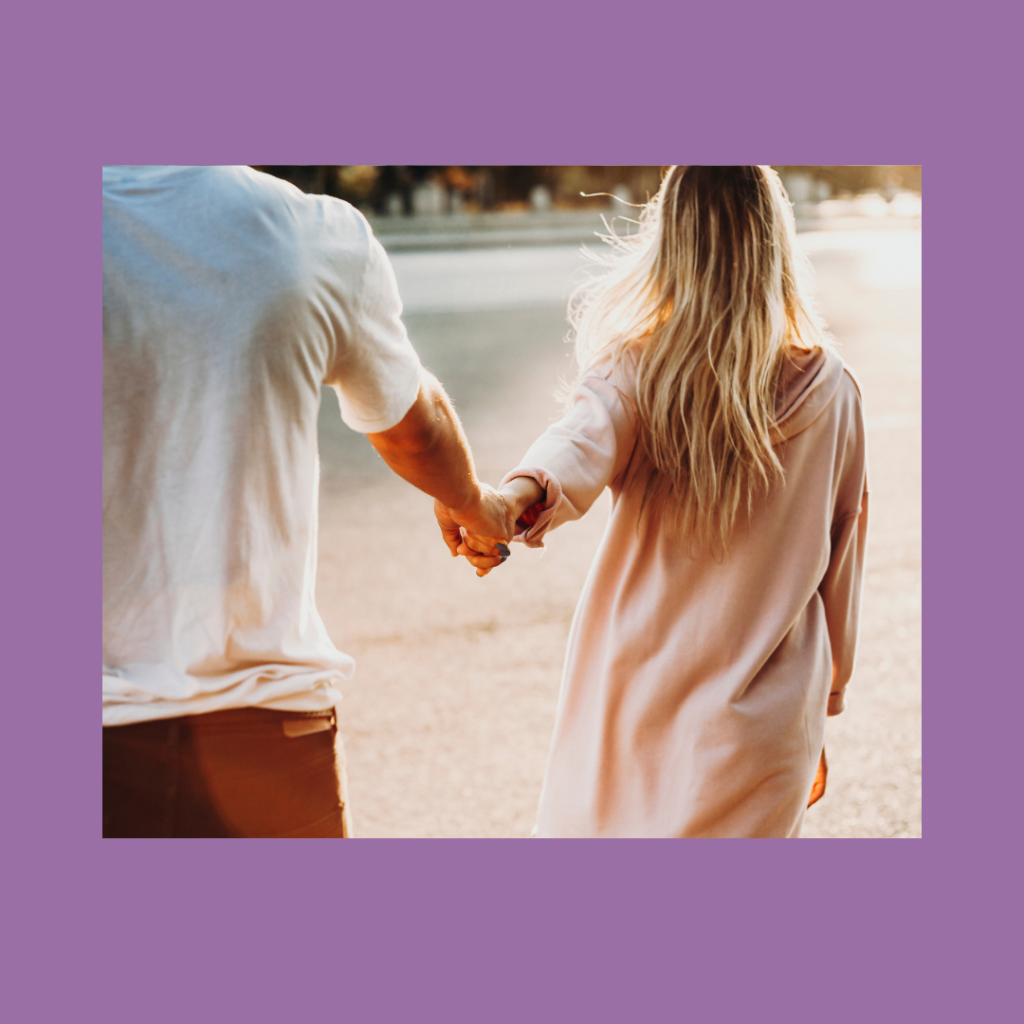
{"type": "Point", "coordinates": [490, 931]}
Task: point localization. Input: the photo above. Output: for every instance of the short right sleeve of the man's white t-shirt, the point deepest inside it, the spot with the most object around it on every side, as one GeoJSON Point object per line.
{"type": "Point", "coordinates": [376, 373]}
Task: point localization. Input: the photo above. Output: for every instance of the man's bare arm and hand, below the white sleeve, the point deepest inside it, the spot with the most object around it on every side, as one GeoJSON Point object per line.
{"type": "Point", "coordinates": [430, 450]}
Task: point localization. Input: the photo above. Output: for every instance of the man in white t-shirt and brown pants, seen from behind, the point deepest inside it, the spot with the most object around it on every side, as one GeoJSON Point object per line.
{"type": "Point", "coordinates": [230, 297]}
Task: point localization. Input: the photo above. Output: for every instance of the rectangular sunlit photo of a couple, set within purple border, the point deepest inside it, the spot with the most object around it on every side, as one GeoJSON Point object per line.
{"type": "Point", "coordinates": [513, 501]}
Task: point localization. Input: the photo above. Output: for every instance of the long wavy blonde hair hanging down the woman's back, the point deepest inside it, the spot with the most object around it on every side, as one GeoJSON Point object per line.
{"type": "Point", "coordinates": [710, 292]}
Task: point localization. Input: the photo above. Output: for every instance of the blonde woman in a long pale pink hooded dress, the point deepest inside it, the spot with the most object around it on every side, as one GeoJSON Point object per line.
{"type": "Point", "coordinates": [717, 627]}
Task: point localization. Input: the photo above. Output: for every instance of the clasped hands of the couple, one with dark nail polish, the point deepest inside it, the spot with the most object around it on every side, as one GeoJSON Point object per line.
{"type": "Point", "coordinates": [482, 531]}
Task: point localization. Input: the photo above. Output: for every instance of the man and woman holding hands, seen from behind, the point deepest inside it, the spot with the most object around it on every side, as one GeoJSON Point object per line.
{"type": "Point", "coordinates": [718, 625]}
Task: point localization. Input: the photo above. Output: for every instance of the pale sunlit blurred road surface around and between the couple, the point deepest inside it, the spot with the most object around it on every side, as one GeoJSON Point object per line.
{"type": "Point", "coordinates": [448, 720]}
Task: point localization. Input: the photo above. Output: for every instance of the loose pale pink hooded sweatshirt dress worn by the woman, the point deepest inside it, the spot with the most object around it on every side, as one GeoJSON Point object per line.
{"type": "Point", "coordinates": [697, 687]}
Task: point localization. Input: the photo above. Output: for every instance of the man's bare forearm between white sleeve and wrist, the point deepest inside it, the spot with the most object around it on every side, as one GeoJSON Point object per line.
{"type": "Point", "coordinates": [430, 450]}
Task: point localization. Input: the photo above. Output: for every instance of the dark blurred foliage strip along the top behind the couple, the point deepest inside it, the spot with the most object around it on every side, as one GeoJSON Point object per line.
{"type": "Point", "coordinates": [403, 191]}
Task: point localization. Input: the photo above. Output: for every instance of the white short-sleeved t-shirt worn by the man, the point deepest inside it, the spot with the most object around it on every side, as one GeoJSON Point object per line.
{"type": "Point", "coordinates": [230, 297]}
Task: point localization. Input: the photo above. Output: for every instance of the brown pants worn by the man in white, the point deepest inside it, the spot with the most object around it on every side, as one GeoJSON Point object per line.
{"type": "Point", "coordinates": [243, 773]}
